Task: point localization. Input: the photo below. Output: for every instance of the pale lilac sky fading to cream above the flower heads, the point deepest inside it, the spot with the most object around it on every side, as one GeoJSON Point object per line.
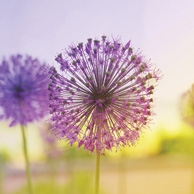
{"type": "Point", "coordinates": [163, 30]}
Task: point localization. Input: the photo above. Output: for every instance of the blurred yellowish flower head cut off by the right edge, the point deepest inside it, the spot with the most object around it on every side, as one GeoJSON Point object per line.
{"type": "Point", "coordinates": [187, 106]}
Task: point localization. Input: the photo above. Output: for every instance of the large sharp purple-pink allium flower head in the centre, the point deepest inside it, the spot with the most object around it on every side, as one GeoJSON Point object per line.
{"type": "Point", "coordinates": [102, 97]}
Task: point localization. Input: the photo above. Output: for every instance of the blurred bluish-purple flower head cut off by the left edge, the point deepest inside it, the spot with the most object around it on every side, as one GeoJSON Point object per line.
{"type": "Point", "coordinates": [23, 89]}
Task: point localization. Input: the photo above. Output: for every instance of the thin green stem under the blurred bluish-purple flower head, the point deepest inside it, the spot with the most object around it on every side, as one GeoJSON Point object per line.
{"type": "Point", "coordinates": [28, 174]}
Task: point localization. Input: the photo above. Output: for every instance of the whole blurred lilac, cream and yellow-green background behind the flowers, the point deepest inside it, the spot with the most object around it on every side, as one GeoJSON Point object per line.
{"type": "Point", "coordinates": [162, 161]}
